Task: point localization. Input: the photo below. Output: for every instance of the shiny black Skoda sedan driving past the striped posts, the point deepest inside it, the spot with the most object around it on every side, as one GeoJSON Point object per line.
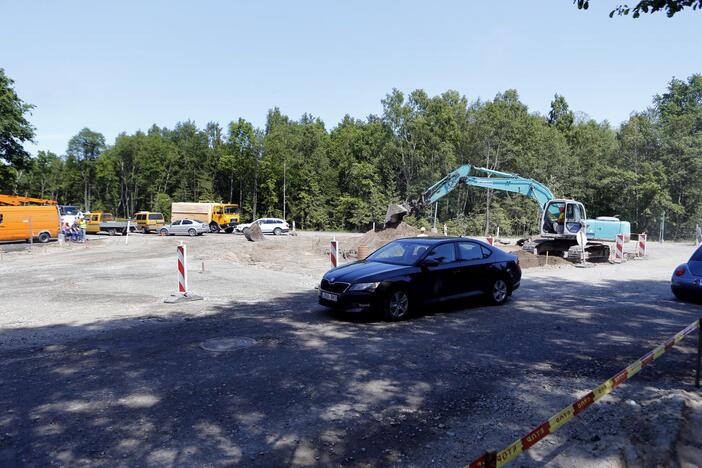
{"type": "Point", "coordinates": [418, 271]}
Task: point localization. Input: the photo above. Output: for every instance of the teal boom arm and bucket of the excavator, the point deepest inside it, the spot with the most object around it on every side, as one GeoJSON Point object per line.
{"type": "Point", "coordinates": [497, 181]}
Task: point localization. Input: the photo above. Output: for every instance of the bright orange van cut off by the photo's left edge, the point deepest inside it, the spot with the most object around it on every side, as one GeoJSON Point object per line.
{"type": "Point", "coordinates": [24, 222]}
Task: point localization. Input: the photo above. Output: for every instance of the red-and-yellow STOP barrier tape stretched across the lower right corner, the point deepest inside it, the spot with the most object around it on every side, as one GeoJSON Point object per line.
{"type": "Point", "coordinates": [505, 456]}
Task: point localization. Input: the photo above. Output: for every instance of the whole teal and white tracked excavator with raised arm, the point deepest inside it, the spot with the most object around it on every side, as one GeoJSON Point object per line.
{"type": "Point", "coordinates": [564, 228]}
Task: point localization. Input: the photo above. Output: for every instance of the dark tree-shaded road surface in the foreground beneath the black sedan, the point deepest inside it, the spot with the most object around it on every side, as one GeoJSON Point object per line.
{"type": "Point", "coordinates": [319, 388]}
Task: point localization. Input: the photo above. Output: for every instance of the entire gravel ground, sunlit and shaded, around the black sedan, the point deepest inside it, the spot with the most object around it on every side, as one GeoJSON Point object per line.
{"type": "Point", "coordinates": [96, 370]}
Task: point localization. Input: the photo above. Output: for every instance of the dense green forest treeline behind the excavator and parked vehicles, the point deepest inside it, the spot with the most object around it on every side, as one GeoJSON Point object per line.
{"type": "Point", "coordinates": [344, 177]}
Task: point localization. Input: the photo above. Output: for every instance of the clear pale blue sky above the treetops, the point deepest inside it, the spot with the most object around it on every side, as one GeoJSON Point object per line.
{"type": "Point", "coordinates": [123, 65]}
